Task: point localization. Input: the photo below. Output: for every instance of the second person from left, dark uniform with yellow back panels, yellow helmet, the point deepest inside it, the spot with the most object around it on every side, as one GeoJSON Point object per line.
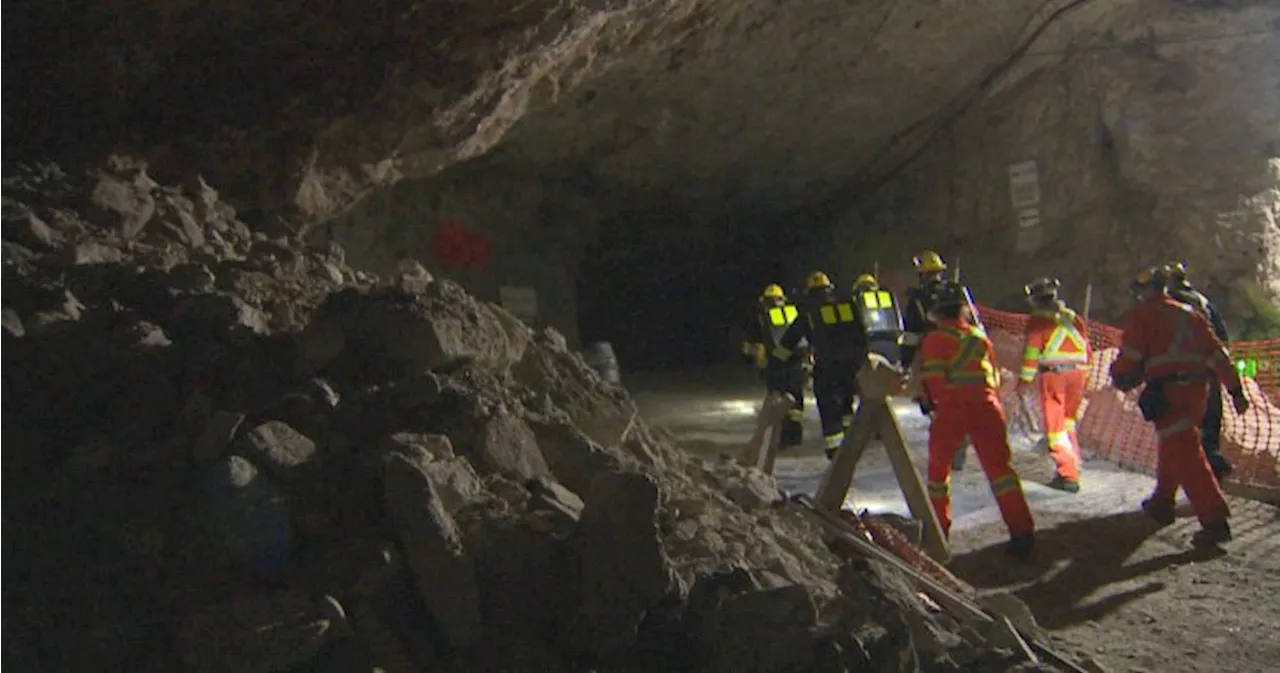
{"type": "Point", "coordinates": [839, 346]}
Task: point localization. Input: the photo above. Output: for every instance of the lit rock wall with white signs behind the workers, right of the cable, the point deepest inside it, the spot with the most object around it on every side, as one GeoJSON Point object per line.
{"type": "Point", "coordinates": [1153, 134]}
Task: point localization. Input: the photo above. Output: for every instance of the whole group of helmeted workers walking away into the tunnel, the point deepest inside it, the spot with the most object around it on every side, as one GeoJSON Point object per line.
{"type": "Point", "coordinates": [1173, 342]}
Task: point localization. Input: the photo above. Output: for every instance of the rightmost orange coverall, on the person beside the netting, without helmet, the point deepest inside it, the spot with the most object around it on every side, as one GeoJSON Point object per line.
{"type": "Point", "coordinates": [1164, 340]}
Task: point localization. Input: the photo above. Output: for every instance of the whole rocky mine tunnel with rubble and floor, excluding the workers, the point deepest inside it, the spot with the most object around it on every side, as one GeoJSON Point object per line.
{"type": "Point", "coordinates": [245, 433]}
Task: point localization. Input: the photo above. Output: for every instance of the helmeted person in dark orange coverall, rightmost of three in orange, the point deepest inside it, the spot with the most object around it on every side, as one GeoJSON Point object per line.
{"type": "Point", "coordinates": [1173, 350]}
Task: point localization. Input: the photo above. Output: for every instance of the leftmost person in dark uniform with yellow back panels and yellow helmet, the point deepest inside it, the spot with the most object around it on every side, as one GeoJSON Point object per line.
{"type": "Point", "coordinates": [772, 317]}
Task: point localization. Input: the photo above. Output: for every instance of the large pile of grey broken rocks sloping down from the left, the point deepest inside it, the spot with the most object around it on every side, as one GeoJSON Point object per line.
{"type": "Point", "coordinates": [231, 454]}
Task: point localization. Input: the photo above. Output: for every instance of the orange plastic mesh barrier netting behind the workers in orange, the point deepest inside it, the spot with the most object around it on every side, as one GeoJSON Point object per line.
{"type": "Point", "coordinates": [1112, 428]}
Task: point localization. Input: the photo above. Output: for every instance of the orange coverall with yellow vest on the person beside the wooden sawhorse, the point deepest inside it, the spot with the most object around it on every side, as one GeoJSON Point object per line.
{"type": "Point", "coordinates": [959, 374]}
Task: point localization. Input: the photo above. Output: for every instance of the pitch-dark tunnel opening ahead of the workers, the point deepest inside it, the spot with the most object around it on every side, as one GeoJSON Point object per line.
{"type": "Point", "coordinates": [668, 296]}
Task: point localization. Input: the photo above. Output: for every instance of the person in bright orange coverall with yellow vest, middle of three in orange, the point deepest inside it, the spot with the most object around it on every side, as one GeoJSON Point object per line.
{"type": "Point", "coordinates": [1058, 351]}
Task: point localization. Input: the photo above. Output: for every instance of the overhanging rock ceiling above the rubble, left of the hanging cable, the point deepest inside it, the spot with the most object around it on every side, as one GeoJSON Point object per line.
{"type": "Point", "coordinates": [301, 115]}
